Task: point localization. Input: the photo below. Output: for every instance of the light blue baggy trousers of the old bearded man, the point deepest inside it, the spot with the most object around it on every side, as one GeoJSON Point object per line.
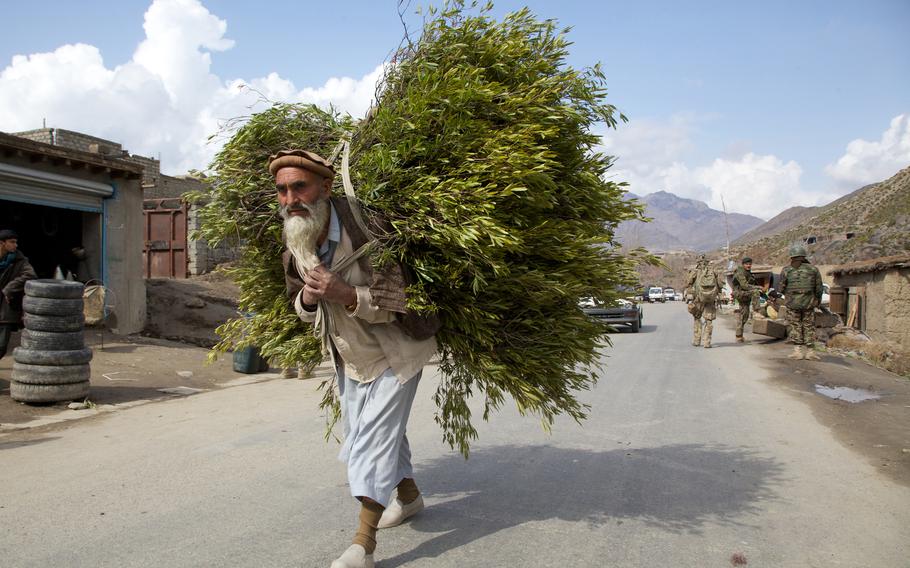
{"type": "Point", "coordinates": [375, 417]}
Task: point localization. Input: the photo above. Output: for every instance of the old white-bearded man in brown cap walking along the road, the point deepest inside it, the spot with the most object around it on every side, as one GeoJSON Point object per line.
{"type": "Point", "coordinates": [379, 348]}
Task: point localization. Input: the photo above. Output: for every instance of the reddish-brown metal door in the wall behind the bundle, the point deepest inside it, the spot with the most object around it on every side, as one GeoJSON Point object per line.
{"type": "Point", "coordinates": [165, 254]}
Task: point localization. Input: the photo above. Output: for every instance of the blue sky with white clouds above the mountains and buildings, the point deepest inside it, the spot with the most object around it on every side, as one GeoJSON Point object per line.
{"type": "Point", "coordinates": [767, 104]}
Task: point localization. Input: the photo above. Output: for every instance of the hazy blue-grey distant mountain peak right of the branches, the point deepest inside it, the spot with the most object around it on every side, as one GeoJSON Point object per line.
{"type": "Point", "coordinates": [682, 224]}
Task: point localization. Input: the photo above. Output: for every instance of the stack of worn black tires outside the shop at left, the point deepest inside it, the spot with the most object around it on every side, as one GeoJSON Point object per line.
{"type": "Point", "coordinates": [52, 361]}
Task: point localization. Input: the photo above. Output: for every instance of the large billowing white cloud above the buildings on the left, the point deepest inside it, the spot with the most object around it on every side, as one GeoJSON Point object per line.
{"type": "Point", "coordinates": [165, 100]}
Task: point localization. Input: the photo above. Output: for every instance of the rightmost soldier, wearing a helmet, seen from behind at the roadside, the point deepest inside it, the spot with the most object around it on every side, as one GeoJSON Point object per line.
{"type": "Point", "coordinates": [801, 284]}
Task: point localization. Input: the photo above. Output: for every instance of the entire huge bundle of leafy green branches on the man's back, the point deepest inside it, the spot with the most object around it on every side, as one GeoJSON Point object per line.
{"type": "Point", "coordinates": [481, 155]}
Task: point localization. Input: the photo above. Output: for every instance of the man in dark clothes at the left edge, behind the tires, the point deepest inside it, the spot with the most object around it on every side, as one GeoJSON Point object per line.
{"type": "Point", "coordinates": [15, 270]}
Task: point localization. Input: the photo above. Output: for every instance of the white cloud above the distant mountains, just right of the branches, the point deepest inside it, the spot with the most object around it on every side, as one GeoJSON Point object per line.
{"type": "Point", "coordinates": [652, 157]}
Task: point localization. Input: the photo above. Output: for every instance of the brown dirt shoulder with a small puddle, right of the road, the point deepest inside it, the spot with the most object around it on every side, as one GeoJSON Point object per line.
{"type": "Point", "coordinates": [879, 429]}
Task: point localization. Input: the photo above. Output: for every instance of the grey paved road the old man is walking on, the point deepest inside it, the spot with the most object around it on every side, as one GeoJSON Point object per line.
{"type": "Point", "coordinates": [690, 456]}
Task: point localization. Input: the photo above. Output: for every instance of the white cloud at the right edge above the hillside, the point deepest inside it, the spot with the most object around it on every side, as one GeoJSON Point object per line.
{"type": "Point", "coordinates": [868, 162]}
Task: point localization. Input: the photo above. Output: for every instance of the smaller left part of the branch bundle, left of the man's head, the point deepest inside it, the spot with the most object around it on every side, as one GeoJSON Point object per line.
{"type": "Point", "coordinates": [239, 206]}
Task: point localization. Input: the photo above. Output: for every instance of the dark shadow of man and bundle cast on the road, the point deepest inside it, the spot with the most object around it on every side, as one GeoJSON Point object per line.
{"type": "Point", "coordinates": [677, 488]}
